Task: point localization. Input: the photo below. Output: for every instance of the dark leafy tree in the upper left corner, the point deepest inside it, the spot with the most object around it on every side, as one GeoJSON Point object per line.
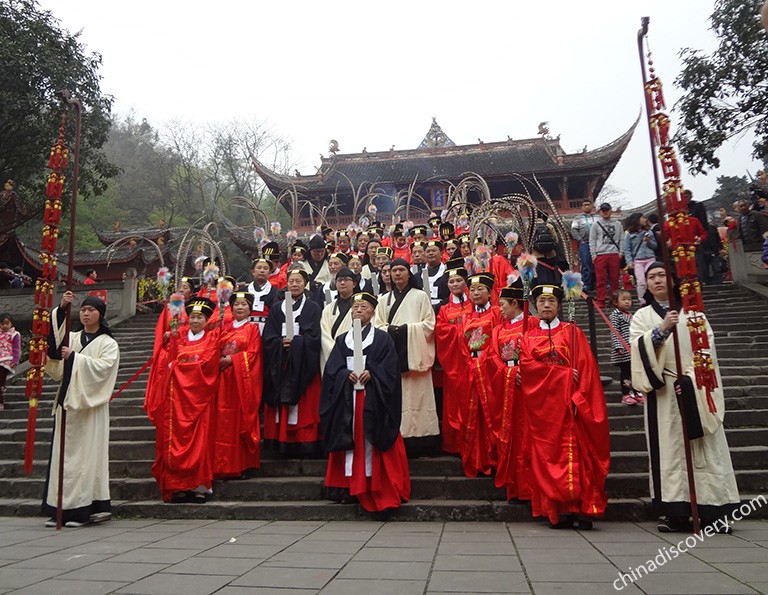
{"type": "Point", "coordinates": [37, 60]}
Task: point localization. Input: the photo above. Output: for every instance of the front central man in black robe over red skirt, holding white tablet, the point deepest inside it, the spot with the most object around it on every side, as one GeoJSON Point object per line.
{"type": "Point", "coordinates": [361, 424]}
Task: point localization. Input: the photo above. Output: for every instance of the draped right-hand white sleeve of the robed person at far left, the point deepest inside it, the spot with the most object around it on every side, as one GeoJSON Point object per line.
{"type": "Point", "coordinates": [93, 374]}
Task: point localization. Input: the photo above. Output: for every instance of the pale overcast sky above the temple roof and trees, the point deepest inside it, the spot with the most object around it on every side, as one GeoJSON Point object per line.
{"type": "Point", "coordinates": [374, 74]}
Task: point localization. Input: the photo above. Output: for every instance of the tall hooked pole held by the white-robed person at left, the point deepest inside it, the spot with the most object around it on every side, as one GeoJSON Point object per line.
{"type": "Point", "coordinates": [68, 100]}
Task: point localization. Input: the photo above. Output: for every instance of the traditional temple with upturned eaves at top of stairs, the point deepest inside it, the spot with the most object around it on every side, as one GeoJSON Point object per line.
{"type": "Point", "coordinates": [344, 184]}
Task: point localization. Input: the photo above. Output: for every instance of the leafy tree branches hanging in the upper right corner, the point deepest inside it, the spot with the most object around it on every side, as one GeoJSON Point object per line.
{"type": "Point", "coordinates": [726, 93]}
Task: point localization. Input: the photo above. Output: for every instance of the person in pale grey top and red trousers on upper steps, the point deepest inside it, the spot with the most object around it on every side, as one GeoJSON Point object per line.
{"type": "Point", "coordinates": [606, 243]}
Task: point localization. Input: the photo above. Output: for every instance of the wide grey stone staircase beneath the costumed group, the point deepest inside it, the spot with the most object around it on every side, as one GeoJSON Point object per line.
{"type": "Point", "coordinates": [292, 489]}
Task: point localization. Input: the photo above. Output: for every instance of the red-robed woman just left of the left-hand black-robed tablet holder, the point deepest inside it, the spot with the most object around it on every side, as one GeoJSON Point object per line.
{"type": "Point", "coordinates": [235, 435]}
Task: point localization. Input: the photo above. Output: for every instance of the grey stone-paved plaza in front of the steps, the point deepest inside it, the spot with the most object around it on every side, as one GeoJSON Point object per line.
{"type": "Point", "coordinates": [369, 558]}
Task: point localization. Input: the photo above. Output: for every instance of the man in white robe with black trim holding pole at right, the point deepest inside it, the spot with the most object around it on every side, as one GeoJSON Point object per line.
{"type": "Point", "coordinates": [654, 373]}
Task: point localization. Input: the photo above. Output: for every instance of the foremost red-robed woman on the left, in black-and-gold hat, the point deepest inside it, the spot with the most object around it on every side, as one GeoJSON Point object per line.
{"type": "Point", "coordinates": [182, 465]}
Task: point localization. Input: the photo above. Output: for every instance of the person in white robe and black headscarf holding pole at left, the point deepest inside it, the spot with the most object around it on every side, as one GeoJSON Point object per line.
{"type": "Point", "coordinates": [87, 369]}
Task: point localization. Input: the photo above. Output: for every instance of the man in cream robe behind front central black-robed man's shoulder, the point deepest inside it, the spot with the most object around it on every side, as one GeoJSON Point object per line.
{"type": "Point", "coordinates": [407, 314]}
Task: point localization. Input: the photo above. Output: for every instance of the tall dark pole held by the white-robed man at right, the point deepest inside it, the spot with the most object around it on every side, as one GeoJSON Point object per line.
{"type": "Point", "coordinates": [641, 34]}
